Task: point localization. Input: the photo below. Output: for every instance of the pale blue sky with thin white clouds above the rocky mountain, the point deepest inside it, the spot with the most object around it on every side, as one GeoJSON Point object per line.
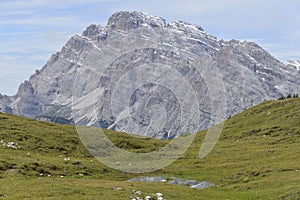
{"type": "Point", "coordinates": [32, 30]}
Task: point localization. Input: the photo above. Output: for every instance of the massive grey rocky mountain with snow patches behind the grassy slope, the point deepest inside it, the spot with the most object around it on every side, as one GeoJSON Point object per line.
{"type": "Point", "coordinates": [140, 74]}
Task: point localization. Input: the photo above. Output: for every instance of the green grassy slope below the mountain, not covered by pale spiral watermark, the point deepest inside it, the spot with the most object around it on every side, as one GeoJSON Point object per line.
{"type": "Point", "coordinates": [257, 157]}
